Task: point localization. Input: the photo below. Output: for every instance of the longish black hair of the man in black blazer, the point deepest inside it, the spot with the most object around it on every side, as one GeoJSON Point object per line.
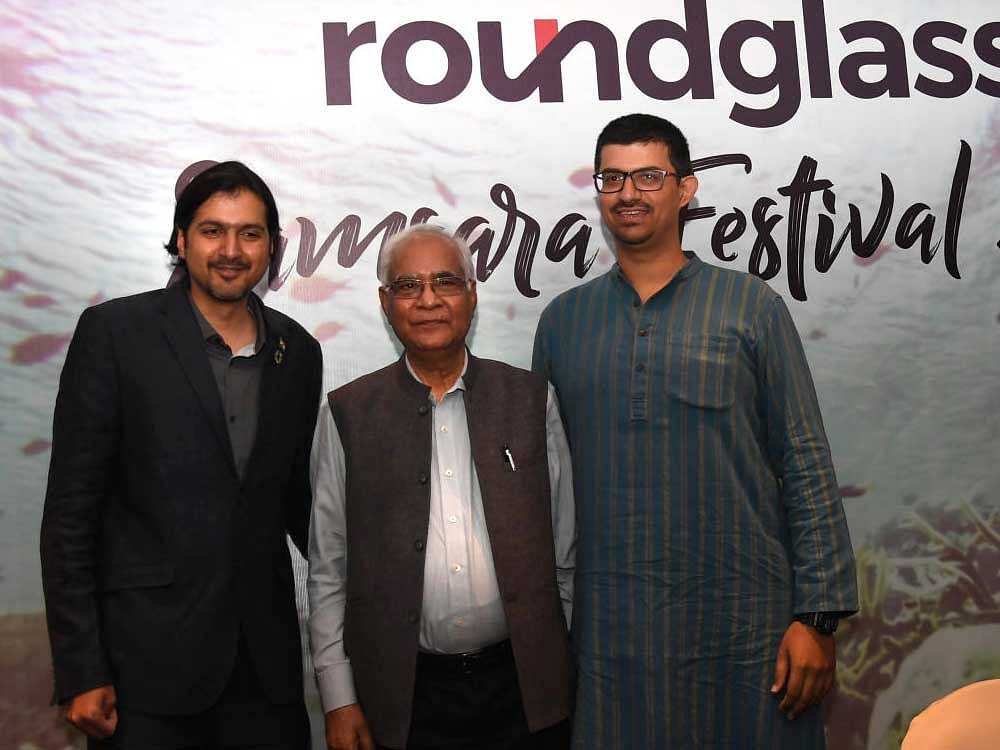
{"type": "Point", "coordinates": [228, 177]}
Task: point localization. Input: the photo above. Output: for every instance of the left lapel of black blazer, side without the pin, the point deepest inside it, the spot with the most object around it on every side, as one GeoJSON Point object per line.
{"type": "Point", "coordinates": [185, 339]}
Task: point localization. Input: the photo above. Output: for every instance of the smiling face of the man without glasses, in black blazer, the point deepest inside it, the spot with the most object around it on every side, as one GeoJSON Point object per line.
{"type": "Point", "coordinates": [226, 248]}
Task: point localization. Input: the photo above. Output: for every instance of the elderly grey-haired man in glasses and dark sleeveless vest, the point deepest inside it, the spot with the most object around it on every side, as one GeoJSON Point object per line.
{"type": "Point", "coordinates": [442, 538]}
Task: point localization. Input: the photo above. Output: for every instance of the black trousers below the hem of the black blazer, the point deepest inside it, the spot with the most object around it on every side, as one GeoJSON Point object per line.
{"type": "Point", "coordinates": [242, 719]}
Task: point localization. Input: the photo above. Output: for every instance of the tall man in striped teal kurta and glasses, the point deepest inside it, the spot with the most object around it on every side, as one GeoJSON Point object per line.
{"type": "Point", "coordinates": [713, 558]}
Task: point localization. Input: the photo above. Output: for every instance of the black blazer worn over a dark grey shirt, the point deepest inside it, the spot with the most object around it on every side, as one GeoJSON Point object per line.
{"type": "Point", "coordinates": [154, 554]}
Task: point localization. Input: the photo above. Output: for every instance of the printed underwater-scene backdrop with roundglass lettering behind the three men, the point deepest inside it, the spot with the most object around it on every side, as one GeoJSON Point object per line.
{"type": "Point", "coordinates": [848, 152]}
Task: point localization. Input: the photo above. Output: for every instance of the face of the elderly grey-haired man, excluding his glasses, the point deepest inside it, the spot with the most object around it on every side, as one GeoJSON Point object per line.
{"type": "Point", "coordinates": [429, 323]}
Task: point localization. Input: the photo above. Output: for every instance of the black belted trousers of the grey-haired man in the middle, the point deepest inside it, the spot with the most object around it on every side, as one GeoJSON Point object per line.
{"type": "Point", "coordinates": [475, 706]}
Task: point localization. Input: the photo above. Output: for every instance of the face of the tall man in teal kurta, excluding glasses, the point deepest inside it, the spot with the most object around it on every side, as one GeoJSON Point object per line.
{"type": "Point", "coordinates": [643, 221]}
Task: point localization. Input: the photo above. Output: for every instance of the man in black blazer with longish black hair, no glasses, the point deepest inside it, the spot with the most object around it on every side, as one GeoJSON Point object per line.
{"type": "Point", "coordinates": [180, 460]}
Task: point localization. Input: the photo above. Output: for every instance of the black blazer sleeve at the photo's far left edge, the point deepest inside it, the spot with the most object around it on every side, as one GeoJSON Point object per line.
{"type": "Point", "coordinates": [85, 444]}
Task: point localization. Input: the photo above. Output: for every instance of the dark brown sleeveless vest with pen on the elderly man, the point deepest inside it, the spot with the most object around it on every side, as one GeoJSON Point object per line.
{"type": "Point", "coordinates": [385, 424]}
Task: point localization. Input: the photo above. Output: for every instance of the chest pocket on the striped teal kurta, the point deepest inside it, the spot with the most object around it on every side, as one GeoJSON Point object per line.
{"type": "Point", "coordinates": [702, 370]}
